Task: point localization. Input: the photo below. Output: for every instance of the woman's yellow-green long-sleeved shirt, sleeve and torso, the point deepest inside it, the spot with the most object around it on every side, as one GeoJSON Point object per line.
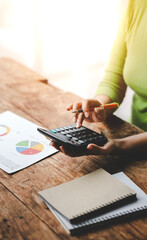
{"type": "Point", "coordinates": [128, 62]}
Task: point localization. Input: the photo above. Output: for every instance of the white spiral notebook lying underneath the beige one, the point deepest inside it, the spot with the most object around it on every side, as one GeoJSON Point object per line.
{"type": "Point", "coordinates": [133, 208]}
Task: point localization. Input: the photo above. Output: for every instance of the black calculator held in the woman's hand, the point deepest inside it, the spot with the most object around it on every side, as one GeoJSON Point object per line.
{"type": "Point", "coordinates": [74, 138]}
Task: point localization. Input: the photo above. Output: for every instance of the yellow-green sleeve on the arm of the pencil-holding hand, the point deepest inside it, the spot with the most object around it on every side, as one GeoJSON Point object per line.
{"type": "Point", "coordinates": [113, 84]}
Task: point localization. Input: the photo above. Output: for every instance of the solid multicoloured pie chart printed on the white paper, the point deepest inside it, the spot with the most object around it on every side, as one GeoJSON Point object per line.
{"type": "Point", "coordinates": [27, 147]}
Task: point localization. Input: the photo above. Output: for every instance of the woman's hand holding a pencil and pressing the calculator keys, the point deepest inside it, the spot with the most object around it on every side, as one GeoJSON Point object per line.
{"type": "Point", "coordinates": [95, 115]}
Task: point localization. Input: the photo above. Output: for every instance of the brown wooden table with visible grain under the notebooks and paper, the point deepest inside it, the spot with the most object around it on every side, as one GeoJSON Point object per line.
{"type": "Point", "coordinates": [23, 215]}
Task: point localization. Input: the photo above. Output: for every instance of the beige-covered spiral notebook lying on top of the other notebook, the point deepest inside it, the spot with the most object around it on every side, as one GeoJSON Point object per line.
{"type": "Point", "coordinates": [86, 194]}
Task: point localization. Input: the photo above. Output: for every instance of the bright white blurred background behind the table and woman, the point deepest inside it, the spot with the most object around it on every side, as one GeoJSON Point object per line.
{"type": "Point", "coordinates": [66, 41]}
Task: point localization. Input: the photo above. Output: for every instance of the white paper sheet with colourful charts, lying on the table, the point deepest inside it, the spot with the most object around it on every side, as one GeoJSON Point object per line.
{"type": "Point", "coordinates": [21, 145]}
